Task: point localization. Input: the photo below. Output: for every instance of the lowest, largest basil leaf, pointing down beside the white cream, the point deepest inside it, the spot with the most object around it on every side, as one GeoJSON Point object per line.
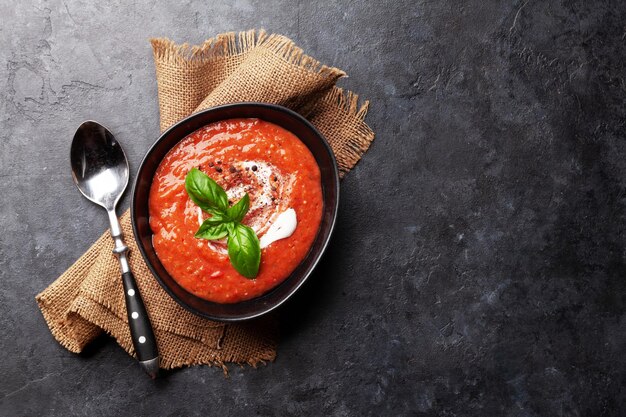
{"type": "Point", "coordinates": [244, 250]}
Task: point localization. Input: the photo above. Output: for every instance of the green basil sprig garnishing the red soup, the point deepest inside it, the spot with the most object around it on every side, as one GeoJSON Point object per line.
{"type": "Point", "coordinates": [244, 249]}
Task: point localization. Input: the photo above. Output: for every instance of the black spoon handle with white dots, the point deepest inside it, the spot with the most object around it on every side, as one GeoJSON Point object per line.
{"type": "Point", "coordinates": [140, 326]}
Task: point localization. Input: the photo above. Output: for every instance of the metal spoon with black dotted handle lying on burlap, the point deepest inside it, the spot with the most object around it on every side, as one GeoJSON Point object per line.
{"type": "Point", "coordinates": [100, 171]}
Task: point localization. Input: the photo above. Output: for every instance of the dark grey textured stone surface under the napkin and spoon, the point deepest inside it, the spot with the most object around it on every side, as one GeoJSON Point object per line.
{"type": "Point", "coordinates": [478, 266]}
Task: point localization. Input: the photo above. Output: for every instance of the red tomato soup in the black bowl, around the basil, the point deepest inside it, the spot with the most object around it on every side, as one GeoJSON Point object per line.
{"type": "Point", "coordinates": [242, 155]}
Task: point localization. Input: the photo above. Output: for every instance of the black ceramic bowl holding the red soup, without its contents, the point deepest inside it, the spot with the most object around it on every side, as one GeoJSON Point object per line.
{"type": "Point", "coordinates": [330, 190]}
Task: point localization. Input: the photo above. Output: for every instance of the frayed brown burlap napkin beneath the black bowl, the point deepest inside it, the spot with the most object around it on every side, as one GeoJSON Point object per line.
{"type": "Point", "coordinates": [250, 66]}
